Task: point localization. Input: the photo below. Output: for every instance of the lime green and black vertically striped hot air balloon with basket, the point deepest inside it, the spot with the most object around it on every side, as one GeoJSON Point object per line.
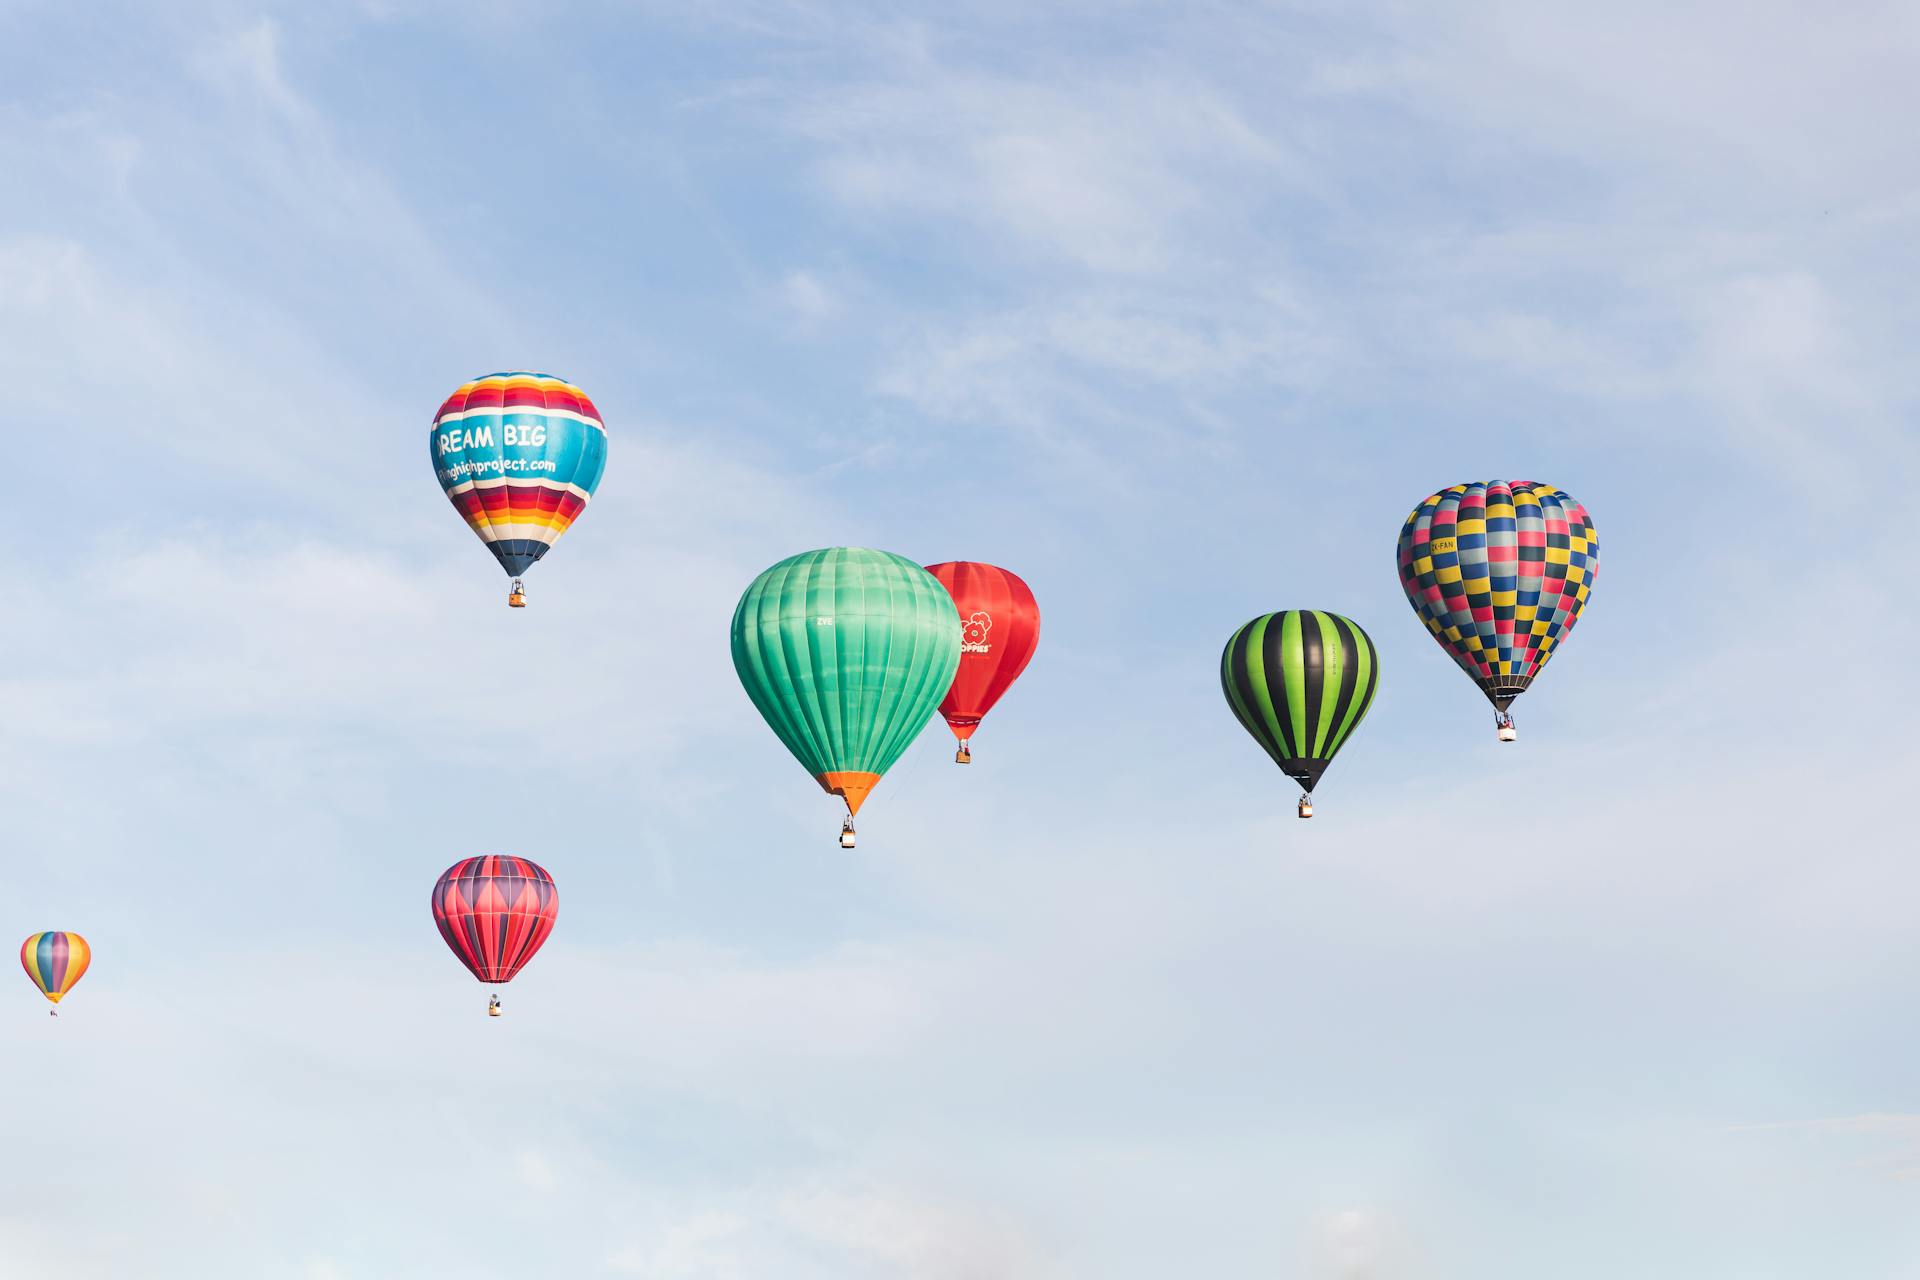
{"type": "Point", "coordinates": [1301, 682]}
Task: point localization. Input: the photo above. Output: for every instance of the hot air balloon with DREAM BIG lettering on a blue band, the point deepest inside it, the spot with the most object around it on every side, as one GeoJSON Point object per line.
{"type": "Point", "coordinates": [519, 456]}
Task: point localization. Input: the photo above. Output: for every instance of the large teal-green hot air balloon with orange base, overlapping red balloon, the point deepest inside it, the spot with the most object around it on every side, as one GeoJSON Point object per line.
{"type": "Point", "coordinates": [846, 653]}
